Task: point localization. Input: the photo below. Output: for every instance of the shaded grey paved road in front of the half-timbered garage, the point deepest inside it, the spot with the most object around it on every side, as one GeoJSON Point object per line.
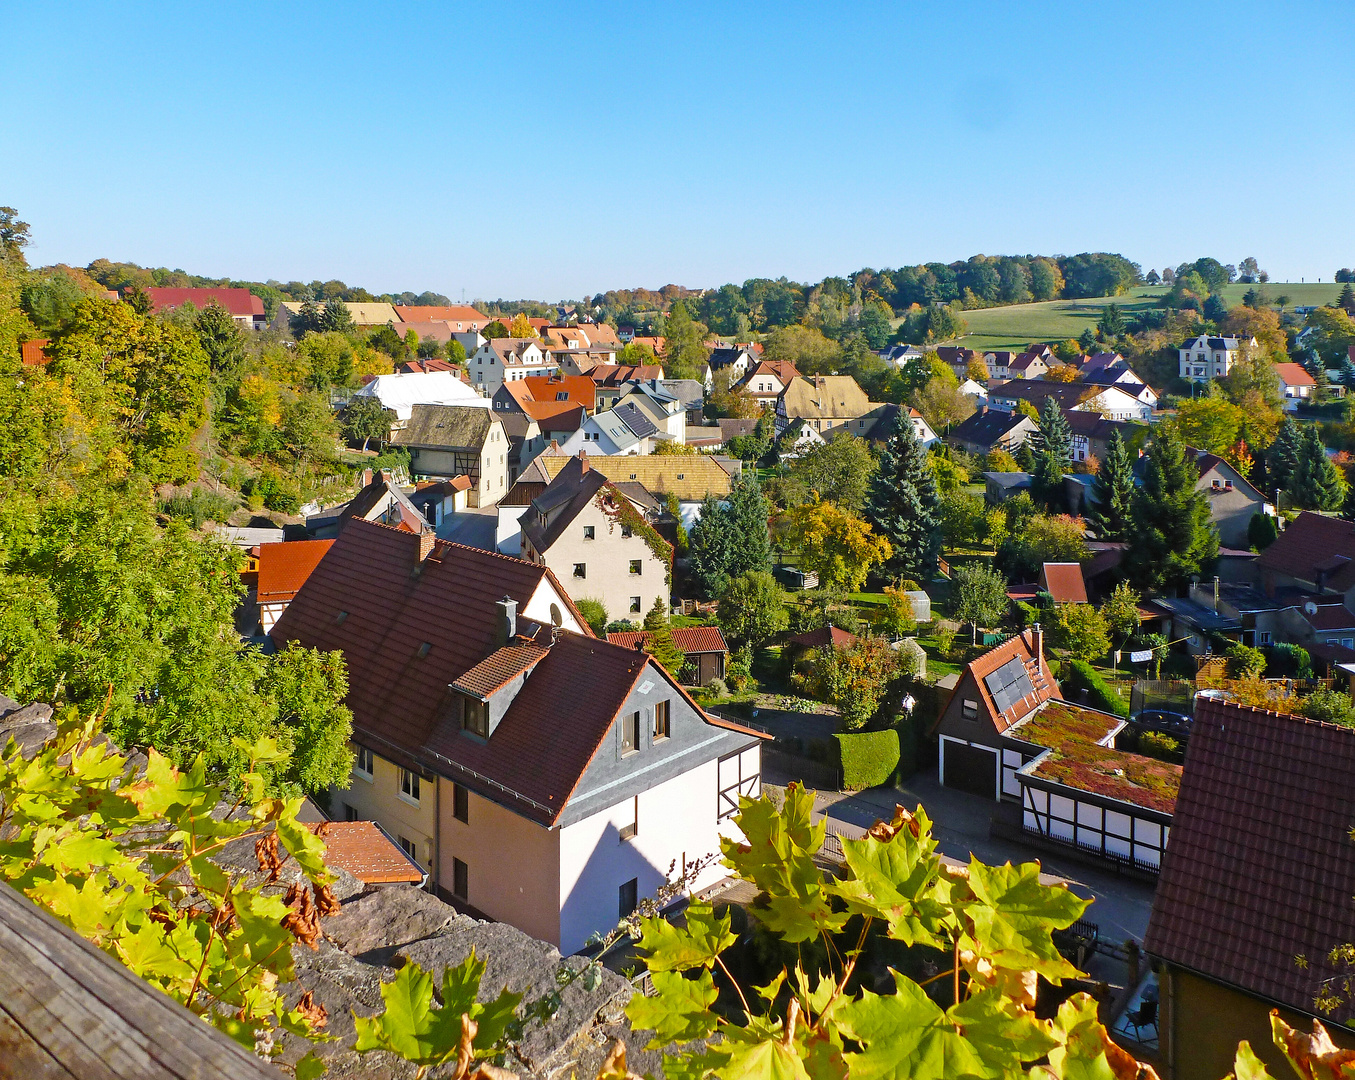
{"type": "Point", "coordinates": [1121, 906]}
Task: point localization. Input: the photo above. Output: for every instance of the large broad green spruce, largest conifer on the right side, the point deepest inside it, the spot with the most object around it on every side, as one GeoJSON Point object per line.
{"type": "Point", "coordinates": [1173, 539]}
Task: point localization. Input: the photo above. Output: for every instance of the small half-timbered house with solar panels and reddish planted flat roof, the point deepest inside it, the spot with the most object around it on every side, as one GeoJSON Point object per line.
{"type": "Point", "coordinates": [1006, 735]}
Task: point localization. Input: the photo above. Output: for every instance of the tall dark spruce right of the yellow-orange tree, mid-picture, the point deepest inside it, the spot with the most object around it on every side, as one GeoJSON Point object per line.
{"type": "Point", "coordinates": [904, 505]}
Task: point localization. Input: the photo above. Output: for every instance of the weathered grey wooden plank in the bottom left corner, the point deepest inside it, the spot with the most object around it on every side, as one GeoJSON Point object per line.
{"type": "Point", "coordinates": [63, 998]}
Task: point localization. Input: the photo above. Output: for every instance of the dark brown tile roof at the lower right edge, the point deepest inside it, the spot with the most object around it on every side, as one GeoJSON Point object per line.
{"type": "Point", "coordinates": [1261, 868]}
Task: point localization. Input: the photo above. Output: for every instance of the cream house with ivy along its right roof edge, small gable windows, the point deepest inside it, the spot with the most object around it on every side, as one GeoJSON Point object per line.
{"type": "Point", "coordinates": [593, 536]}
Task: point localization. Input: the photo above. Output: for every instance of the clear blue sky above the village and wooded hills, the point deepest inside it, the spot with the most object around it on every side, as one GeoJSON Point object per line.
{"type": "Point", "coordinates": [514, 150]}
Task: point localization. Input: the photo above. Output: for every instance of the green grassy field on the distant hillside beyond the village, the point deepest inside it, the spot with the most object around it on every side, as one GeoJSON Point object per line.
{"type": "Point", "coordinates": [1018, 326]}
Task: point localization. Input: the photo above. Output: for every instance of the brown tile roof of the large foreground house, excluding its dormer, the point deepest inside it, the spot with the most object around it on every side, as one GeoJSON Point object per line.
{"type": "Point", "coordinates": [400, 699]}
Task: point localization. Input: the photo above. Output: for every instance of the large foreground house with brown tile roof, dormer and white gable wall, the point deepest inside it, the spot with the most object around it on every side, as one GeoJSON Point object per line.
{"type": "Point", "coordinates": [543, 777]}
